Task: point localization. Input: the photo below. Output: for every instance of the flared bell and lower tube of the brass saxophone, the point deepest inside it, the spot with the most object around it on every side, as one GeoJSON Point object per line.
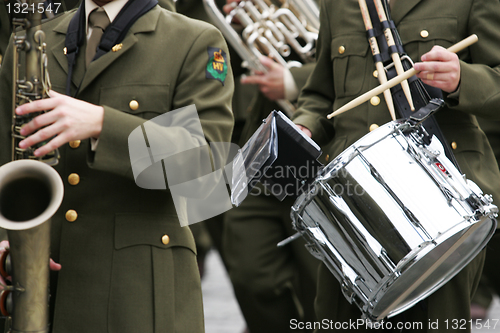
{"type": "Point", "coordinates": [30, 194]}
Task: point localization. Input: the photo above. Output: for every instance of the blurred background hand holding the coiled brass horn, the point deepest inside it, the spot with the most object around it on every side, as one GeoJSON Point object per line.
{"type": "Point", "coordinates": [271, 84]}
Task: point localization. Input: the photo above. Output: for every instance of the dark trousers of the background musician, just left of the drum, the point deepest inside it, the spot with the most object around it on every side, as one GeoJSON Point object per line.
{"type": "Point", "coordinates": [273, 285]}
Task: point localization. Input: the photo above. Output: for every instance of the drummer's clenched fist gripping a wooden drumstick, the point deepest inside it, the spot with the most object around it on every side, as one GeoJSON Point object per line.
{"type": "Point", "coordinates": [440, 68]}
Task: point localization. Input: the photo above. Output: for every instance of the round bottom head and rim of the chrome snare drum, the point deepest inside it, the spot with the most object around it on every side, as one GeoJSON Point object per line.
{"type": "Point", "coordinates": [428, 273]}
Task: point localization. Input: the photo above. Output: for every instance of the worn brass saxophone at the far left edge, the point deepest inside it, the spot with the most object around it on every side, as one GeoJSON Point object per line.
{"type": "Point", "coordinates": [31, 191]}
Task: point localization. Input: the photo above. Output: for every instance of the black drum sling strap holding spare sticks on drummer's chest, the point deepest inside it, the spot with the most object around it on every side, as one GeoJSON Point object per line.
{"type": "Point", "coordinates": [420, 92]}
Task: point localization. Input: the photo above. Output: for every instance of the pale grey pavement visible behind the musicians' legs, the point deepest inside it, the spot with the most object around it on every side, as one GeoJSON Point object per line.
{"type": "Point", "coordinates": [222, 314]}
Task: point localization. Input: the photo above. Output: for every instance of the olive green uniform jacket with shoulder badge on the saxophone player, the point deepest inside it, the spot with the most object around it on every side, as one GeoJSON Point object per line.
{"type": "Point", "coordinates": [117, 275]}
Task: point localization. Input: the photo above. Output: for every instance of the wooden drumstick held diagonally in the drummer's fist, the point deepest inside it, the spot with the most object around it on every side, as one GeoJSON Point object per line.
{"type": "Point", "coordinates": [396, 80]}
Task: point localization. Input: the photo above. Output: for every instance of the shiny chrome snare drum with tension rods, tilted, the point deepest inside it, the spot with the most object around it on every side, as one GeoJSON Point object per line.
{"type": "Point", "coordinates": [393, 219]}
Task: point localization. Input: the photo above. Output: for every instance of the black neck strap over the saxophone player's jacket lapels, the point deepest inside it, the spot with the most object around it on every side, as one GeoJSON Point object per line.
{"type": "Point", "coordinates": [114, 34]}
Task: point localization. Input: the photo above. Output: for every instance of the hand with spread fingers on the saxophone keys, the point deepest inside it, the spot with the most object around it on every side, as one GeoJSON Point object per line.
{"type": "Point", "coordinates": [69, 119]}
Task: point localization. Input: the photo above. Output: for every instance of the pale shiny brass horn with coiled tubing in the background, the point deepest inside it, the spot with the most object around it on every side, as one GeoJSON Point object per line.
{"type": "Point", "coordinates": [270, 30]}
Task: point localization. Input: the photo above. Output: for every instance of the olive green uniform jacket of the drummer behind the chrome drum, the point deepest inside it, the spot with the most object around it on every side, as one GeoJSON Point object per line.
{"type": "Point", "coordinates": [344, 70]}
